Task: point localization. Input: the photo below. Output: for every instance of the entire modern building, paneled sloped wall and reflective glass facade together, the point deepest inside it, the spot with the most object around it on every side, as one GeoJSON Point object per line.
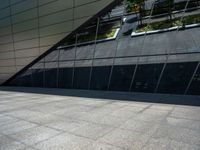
{"type": "Point", "coordinates": [102, 45]}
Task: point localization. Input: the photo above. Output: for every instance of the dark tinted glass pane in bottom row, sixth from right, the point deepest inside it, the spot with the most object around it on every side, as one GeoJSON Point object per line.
{"type": "Point", "coordinates": [81, 77]}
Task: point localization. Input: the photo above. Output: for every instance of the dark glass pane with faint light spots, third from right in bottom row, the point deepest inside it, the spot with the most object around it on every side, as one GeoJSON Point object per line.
{"type": "Point", "coordinates": [146, 77]}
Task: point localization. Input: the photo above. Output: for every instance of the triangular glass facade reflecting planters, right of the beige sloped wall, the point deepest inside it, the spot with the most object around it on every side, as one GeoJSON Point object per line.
{"type": "Point", "coordinates": [114, 52]}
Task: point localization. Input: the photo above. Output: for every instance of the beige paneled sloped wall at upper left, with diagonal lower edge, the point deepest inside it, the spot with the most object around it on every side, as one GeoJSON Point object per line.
{"type": "Point", "coordinates": [28, 28]}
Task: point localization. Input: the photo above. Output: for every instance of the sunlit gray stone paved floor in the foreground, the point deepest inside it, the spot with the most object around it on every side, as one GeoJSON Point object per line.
{"type": "Point", "coordinates": [49, 122]}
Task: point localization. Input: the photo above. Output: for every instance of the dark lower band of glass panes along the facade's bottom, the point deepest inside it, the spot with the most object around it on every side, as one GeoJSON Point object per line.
{"type": "Point", "coordinates": [174, 79]}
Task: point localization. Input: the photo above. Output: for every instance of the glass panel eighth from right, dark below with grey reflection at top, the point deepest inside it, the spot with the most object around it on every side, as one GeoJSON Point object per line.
{"type": "Point", "coordinates": [51, 71]}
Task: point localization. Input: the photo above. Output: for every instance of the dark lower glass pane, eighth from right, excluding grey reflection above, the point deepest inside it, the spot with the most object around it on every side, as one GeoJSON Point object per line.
{"type": "Point", "coordinates": [51, 78]}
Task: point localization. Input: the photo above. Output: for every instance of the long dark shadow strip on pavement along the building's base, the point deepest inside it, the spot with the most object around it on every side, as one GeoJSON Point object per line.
{"type": "Point", "coordinates": [109, 95]}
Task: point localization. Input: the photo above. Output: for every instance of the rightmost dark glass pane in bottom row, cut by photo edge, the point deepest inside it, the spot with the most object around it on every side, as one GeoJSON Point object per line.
{"type": "Point", "coordinates": [195, 86]}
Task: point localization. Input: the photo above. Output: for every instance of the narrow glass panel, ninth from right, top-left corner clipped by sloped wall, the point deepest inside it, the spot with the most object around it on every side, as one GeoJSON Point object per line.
{"type": "Point", "coordinates": [38, 75]}
